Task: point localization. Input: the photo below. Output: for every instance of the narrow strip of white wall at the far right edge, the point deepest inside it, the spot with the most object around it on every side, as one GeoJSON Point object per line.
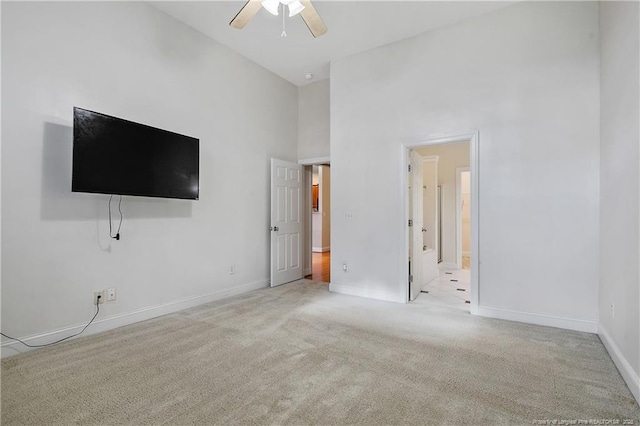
{"type": "Point", "coordinates": [619, 187]}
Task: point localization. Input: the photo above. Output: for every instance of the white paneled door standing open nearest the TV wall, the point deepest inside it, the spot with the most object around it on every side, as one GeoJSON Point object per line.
{"type": "Point", "coordinates": [286, 223]}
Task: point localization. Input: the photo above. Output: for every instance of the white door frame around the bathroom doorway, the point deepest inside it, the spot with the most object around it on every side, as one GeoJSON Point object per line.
{"type": "Point", "coordinates": [473, 139]}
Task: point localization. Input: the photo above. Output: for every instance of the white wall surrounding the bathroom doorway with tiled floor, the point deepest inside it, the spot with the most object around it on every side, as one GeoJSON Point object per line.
{"type": "Point", "coordinates": [526, 78]}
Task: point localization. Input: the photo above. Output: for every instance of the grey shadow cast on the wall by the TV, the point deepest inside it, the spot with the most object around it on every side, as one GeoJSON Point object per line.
{"type": "Point", "coordinates": [57, 202]}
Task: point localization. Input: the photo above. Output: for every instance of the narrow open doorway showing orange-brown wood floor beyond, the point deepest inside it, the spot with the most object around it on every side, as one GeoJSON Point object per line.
{"type": "Point", "coordinates": [320, 223]}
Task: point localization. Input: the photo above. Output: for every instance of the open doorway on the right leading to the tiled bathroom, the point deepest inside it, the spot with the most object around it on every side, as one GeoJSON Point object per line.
{"type": "Point", "coordinates": [450, 219]}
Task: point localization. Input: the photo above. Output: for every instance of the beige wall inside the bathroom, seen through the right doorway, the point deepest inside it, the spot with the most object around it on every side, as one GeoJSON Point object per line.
{"type": "Point", "coordinates": [452, 155]}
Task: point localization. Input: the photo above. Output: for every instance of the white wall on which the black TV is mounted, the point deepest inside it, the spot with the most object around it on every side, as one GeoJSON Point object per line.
{"type": "Point", "coordinates": [132, 61]}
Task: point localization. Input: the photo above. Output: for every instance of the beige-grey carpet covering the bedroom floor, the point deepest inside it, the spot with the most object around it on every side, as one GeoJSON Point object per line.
{"type": "Point", "coordinates": [298, 354]}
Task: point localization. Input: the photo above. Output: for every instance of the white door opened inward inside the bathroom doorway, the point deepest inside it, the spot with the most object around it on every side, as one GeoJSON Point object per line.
{"type": "Point", "coordinates": [416, 223]}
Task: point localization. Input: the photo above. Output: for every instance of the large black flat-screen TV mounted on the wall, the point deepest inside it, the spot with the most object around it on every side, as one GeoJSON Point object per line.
{"type": "Point", "coordinates": [116, 156]}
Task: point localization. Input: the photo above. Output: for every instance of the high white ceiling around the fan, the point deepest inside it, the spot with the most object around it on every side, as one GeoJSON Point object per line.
{"type": "Point", "coordinates": [354, 26]}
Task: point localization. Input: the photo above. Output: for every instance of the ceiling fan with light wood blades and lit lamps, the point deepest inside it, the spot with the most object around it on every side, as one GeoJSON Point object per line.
{"type": "Point", "coordinates": [303, 7]}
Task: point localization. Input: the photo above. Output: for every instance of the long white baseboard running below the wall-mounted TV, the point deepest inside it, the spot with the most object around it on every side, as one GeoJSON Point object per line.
{"type": "Point", "coordinates": [13, 348]}
